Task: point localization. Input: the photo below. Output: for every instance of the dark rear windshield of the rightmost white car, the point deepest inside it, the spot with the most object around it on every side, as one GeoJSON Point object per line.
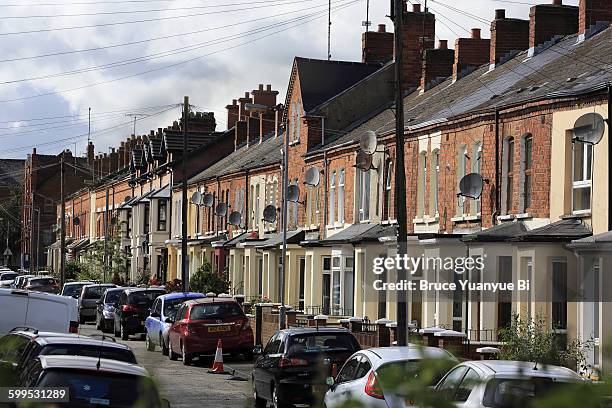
{"type": "Point", "coordinates": [517, 393]}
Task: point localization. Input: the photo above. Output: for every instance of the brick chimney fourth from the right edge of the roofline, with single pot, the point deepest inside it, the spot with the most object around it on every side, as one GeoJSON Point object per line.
{"type": "Point", "coordinates": [470, 53]}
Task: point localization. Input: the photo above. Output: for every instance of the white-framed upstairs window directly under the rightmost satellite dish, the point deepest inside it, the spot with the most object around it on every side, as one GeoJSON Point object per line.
{"type": "Point", "coordinates": [581, 181]}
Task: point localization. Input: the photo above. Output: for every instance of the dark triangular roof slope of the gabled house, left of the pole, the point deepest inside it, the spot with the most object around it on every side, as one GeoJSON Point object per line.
{"type": "Point", "coordinates": [321, 79]}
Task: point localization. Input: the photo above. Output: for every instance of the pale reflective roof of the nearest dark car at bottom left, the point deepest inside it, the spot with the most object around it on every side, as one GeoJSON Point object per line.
{"type": "Point", "coordinates": [91, 363]}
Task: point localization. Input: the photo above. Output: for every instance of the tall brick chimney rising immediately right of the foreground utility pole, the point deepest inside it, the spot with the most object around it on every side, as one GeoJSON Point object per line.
{"type": "Point", "coordinates": [418, 33]}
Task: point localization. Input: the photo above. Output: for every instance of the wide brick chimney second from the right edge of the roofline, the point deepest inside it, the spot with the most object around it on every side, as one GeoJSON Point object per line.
{"type": "Point", "coordinates": [549, 20]}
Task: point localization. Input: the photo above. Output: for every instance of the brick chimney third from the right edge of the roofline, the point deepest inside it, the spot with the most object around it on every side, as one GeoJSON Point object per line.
{"type": "Point", "coordinates": [507, 35]}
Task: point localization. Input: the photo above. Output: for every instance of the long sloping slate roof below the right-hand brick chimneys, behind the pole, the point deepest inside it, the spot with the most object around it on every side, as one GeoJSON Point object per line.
{"type": "Point", "coordinates": [563, 69]}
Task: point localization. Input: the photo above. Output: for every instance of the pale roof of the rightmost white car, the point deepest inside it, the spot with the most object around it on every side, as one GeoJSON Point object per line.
{"type": "Point", "coordinates": [522, 368]}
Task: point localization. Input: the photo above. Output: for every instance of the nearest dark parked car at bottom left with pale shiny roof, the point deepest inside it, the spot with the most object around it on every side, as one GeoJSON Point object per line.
{"type": "Point", "coordinates": [93, 381]}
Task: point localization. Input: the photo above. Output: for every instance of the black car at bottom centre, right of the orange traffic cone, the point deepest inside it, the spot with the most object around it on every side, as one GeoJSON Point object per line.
{"type": "Point", "coordinates": [295, 363]}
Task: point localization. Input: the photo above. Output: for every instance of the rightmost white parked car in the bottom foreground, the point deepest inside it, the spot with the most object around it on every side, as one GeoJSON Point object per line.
{"type": "Point", "coordinates": [492, 383]}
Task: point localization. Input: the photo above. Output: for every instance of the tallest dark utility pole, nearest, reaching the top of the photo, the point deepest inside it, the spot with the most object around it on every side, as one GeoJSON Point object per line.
{"type": "Point", "coordinates": [400, 173]}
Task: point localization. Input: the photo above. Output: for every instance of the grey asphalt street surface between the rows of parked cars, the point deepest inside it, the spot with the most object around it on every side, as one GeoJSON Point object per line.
{"type": "Point", "coordinates": [191, 386]}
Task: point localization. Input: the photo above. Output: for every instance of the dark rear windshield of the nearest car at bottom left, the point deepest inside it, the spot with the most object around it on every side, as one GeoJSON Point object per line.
{"type": "Point", "coordinates": [102, 389]}
